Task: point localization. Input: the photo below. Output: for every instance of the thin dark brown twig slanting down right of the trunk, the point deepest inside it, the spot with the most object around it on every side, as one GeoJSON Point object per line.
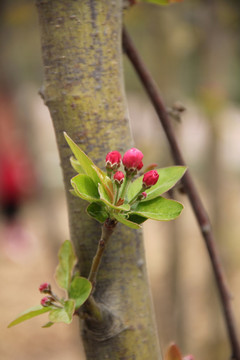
{"type": "Point", "coordinates": [190, 189]}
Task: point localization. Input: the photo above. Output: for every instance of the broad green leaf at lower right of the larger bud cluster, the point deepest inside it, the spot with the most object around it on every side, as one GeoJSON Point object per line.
{"type": "Point", "coordinates": [159, 209]}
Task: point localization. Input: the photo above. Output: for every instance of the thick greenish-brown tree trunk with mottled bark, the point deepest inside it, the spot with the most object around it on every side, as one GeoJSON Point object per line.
{"type": "Point", "coordinates": [83, 89]}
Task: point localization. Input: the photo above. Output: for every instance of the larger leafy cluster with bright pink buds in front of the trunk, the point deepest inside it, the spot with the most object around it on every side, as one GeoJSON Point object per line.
{"type": "Point", "coordinates": [121, 195]}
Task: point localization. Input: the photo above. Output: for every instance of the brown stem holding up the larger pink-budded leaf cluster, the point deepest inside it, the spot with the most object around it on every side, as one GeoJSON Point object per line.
{"type": "Point", "coordinates": [107, 230]}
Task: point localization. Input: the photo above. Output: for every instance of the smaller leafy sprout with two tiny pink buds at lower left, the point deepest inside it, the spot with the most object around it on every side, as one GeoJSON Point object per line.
{"type": "Point", "coordinates": [77, 288]}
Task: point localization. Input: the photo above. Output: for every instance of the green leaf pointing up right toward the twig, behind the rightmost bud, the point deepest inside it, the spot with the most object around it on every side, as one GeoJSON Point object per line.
{"type": "Point", "coordinates": [168, 177]}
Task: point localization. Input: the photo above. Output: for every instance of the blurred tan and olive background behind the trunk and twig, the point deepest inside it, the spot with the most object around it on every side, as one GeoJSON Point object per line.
{"type": "Point", "coordinates": [192, 50]}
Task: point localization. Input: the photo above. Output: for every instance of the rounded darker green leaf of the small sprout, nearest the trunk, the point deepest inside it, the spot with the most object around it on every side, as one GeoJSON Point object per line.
{"type": "Point", "coordinates": [80, 289]}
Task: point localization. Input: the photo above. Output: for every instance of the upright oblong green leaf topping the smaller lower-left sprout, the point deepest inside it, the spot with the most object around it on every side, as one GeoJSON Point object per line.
{"type": "Point", "coordinates": [67, 260]}
